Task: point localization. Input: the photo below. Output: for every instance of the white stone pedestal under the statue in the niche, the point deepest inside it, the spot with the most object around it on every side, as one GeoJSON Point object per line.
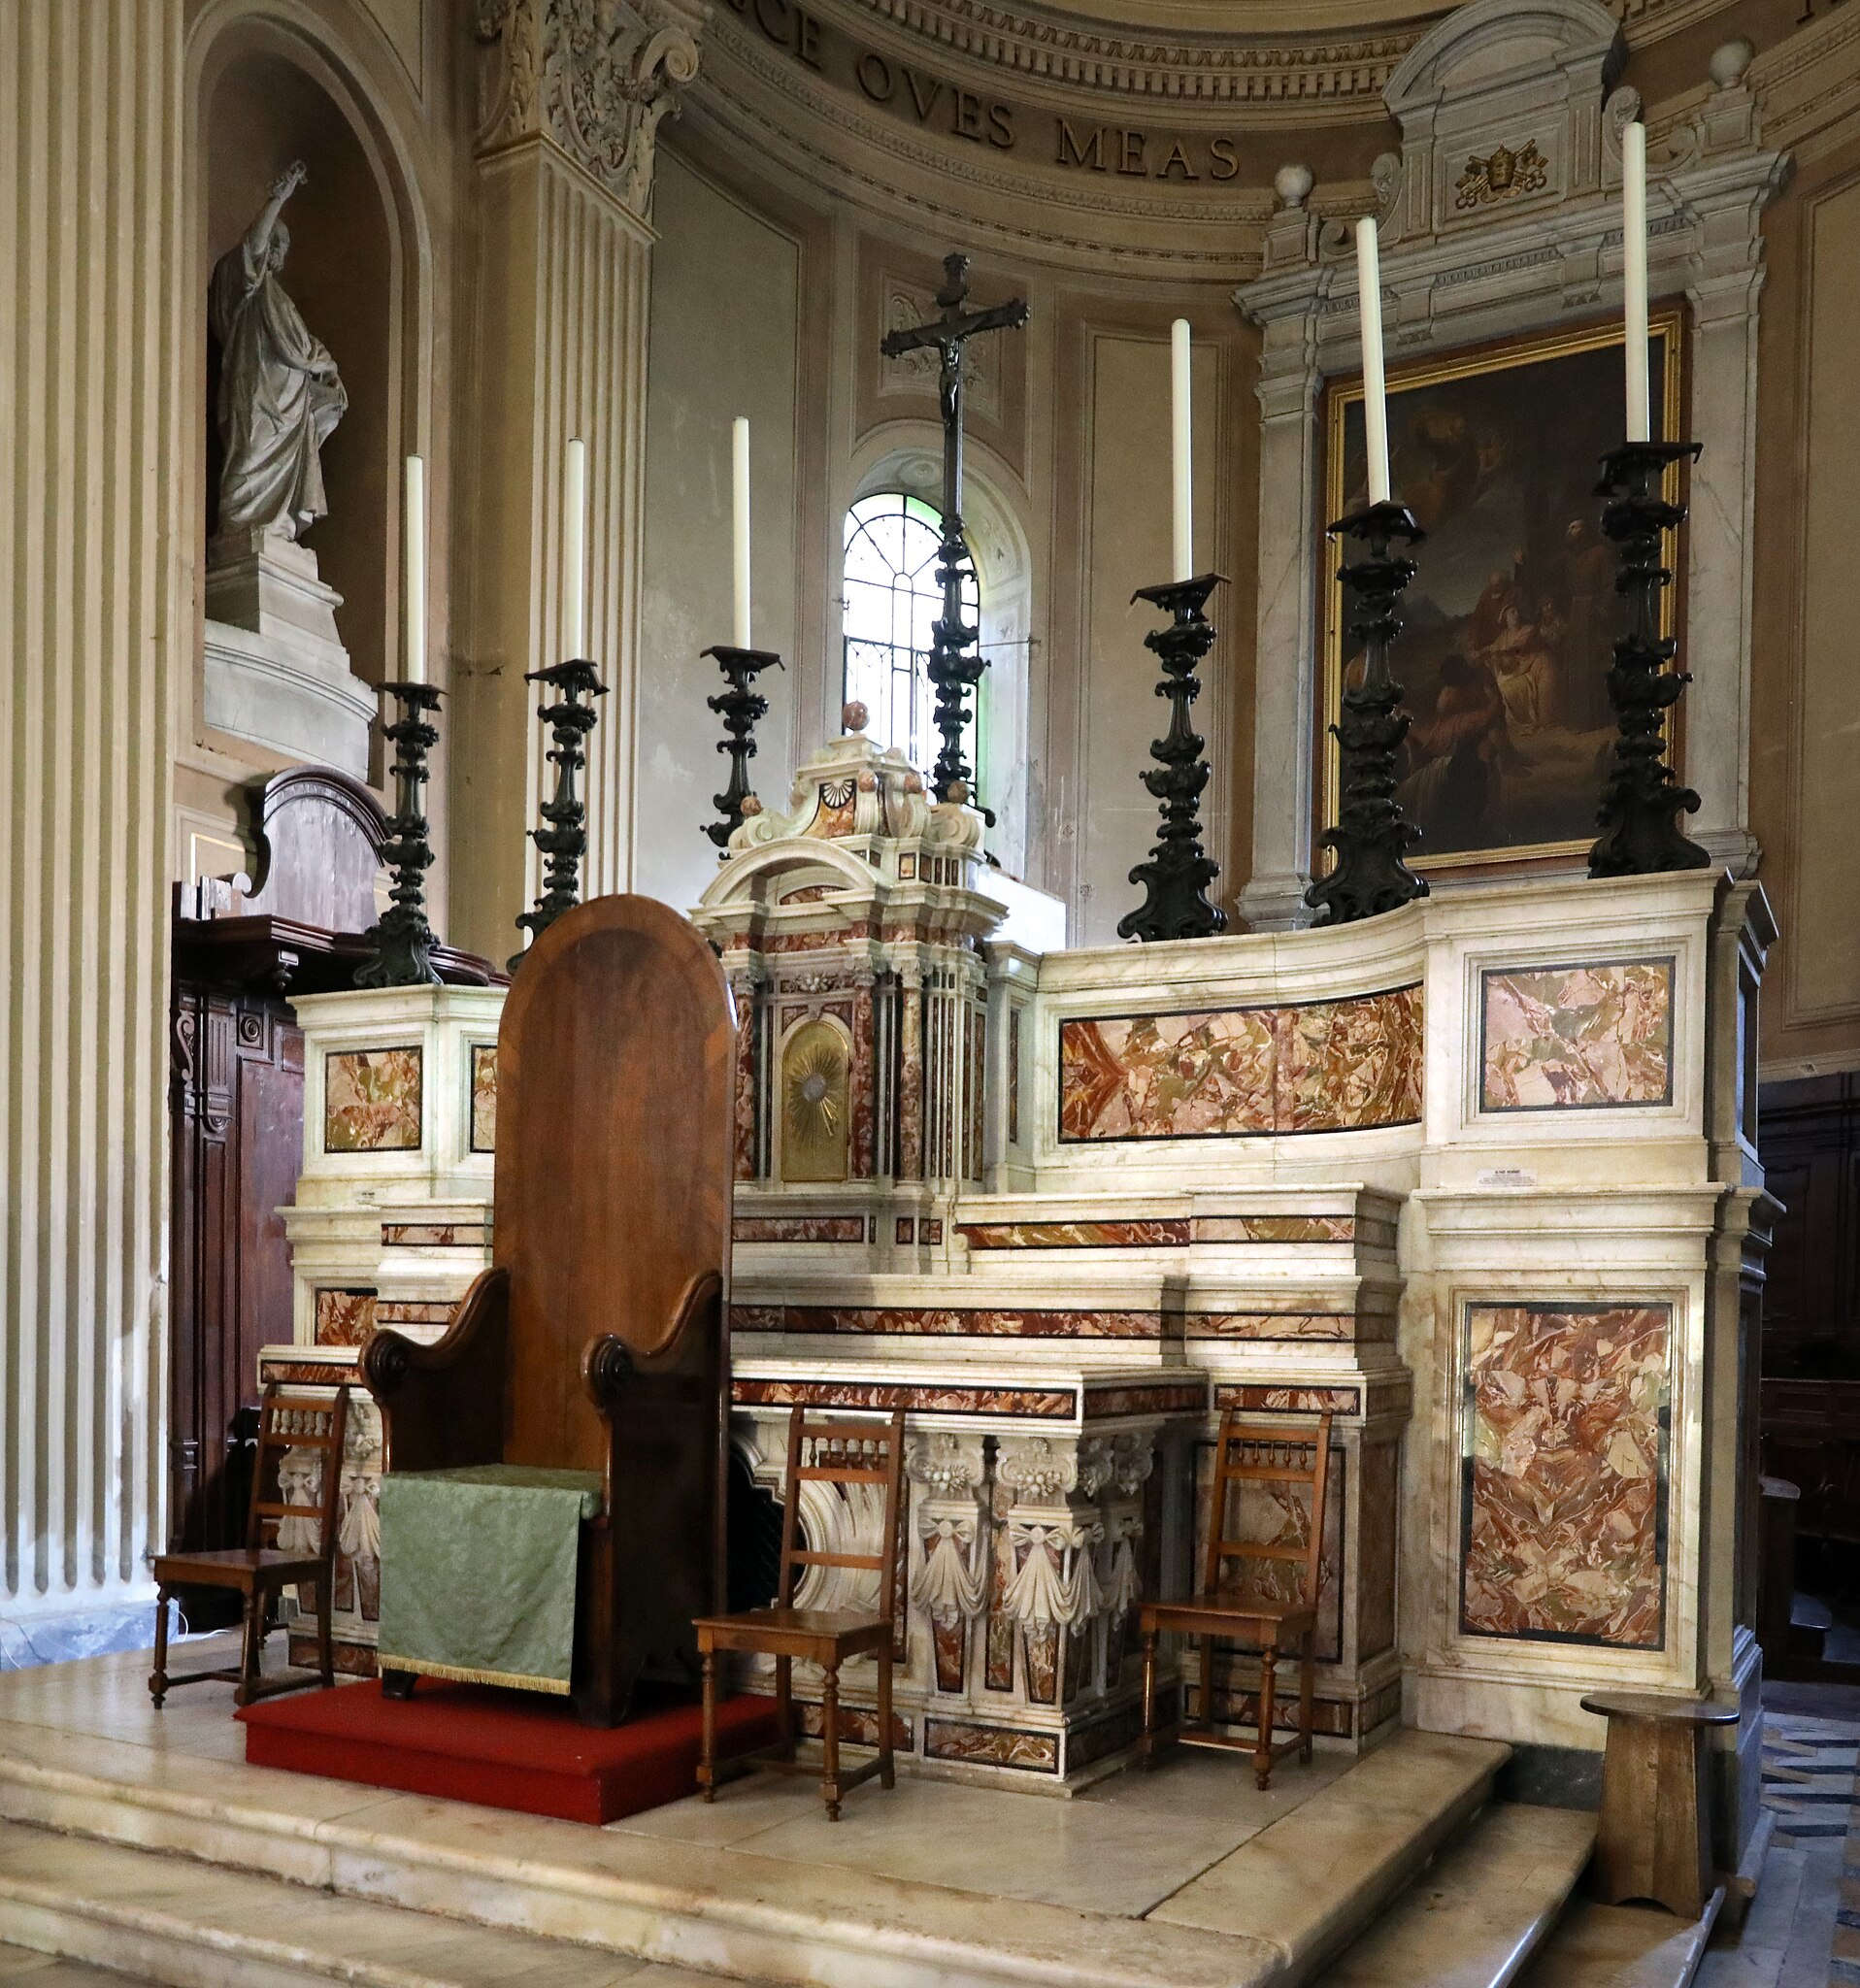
{"type": "Point", "coordinates": [277, 671]}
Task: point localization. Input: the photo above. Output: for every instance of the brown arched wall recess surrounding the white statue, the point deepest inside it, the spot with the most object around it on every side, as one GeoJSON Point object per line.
{"type": "Point", "coordinates": [267, 92]}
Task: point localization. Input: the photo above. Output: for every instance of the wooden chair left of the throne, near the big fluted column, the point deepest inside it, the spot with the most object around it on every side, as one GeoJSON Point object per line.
{"type": "Point", "coordinates": [289, 1424]}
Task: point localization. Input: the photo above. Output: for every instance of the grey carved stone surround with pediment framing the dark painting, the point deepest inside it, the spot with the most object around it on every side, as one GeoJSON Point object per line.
{"type": "Point", "coordinates": [1501, 77]}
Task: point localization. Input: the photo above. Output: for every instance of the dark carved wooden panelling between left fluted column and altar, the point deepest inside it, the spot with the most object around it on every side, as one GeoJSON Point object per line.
{"type": "Point", "coordinates": [237, 1126]}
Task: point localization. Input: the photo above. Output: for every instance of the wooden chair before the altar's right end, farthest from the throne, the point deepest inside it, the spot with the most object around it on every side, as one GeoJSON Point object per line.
{"type": "Point", "coordinates": [1263, 1609]}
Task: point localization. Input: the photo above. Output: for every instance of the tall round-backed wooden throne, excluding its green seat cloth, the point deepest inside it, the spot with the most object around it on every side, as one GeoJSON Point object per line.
{"type": "Point", "coordinates": [597, 1339]}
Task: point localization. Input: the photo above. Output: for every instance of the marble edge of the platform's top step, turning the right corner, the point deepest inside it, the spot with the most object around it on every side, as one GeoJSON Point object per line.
{"type": "Point", "coordinates": [1267, 1915]}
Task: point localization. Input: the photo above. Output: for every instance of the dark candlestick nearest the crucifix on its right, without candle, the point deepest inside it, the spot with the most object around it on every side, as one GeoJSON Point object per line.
{"type": "Point", "coordinates": [1177, 876]}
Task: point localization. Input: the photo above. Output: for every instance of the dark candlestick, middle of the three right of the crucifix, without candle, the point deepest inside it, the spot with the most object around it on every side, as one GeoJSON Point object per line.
{"type": "Point", "coordinates": [1372, 836]}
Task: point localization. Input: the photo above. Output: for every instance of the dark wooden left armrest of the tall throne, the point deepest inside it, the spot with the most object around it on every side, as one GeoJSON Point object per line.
{"type": "Point", "coordinates": [442, 1405]}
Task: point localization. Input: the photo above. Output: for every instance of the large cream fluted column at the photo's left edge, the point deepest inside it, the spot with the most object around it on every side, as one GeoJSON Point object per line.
{"type": "Point", "coordinates": [92, 585]}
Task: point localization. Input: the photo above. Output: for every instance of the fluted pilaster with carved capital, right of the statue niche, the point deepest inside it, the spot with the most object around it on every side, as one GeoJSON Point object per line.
{"type": "Point", "coordinates": [571, 94]}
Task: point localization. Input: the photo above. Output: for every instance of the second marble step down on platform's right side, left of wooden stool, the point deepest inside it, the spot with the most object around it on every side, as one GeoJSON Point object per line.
{"type": "Point", "coordinates": [1479, 1915]}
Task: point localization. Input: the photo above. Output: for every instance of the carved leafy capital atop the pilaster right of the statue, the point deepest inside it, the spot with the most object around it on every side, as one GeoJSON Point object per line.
{"type": "Point", "coordinates": [595, 77]}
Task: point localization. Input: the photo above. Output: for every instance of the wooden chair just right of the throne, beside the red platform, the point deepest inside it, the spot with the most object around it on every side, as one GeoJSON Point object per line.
{"type": "Point", "coordinates": [838, 1454]}
